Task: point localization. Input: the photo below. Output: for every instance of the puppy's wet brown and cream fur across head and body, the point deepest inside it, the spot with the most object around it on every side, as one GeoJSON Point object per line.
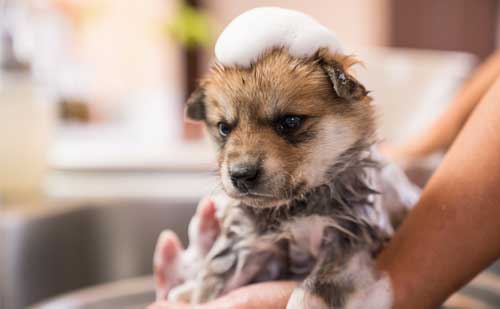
{"type": "Point", "coordinates": [319, 207]}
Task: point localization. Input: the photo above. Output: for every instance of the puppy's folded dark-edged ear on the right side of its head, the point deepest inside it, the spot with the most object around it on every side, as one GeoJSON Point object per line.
{"type": "Point", "coordinates": [344, 84]}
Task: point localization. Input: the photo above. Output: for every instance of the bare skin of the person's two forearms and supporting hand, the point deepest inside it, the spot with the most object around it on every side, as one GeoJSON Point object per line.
{"type": "Point", "coordinates": [454, 230]}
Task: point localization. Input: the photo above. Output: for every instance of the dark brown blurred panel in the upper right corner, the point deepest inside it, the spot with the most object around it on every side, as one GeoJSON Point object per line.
{"type": "Point", "coordinates": [458, 25]}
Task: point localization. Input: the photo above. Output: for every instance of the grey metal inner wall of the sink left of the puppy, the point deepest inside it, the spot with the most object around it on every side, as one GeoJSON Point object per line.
{"type": "Point", "coordinates": [47, 252]}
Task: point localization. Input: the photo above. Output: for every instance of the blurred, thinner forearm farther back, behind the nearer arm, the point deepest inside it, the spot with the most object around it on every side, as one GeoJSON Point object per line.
{"type": "Point", "coordinates": [440, 135]}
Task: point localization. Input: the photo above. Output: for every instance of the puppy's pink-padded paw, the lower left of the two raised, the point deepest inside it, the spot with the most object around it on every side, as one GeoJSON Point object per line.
{"type": "Point", "coordinates": [166, 263]}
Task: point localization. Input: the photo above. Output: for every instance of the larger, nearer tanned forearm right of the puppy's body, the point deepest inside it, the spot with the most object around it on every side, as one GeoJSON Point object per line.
{"type": "Point", "coordinates": [454, 231]}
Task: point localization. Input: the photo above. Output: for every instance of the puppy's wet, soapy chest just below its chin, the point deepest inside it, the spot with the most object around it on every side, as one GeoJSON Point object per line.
{"type": "Point", "coordinates": [288, 241]}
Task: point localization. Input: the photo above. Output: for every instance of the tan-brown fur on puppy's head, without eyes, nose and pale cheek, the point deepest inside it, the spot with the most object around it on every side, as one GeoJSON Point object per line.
{"type": "Point", "coordinates": [251, 99]}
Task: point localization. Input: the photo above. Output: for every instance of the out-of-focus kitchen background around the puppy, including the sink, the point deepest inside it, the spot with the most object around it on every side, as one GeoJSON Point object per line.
{"type": "Point", "coordinates": [95, 156]}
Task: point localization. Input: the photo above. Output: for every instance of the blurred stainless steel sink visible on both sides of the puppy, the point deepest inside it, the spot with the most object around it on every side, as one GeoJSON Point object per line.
{"type": "Point", "coordinates": [49, 253]}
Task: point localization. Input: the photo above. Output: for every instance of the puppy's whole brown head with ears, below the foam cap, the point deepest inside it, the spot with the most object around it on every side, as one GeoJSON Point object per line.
{"type": "Point", "coordinates": [282, 123]}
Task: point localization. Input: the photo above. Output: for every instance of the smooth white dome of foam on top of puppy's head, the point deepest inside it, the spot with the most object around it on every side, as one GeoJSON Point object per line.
{"type": "Point", "coordinates": [261, 29]}
